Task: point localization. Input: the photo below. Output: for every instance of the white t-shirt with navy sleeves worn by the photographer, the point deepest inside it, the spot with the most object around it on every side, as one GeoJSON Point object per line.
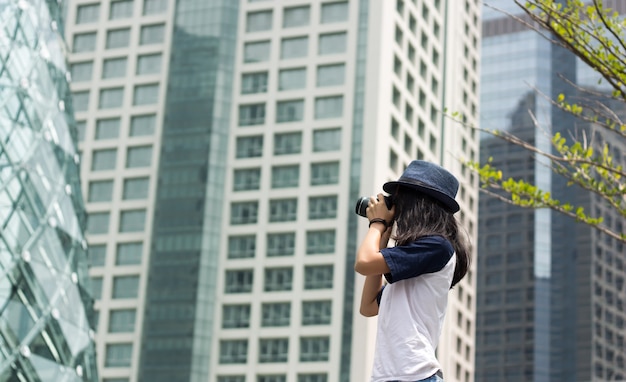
{"type": "Point", "coordinates": [412, 309]}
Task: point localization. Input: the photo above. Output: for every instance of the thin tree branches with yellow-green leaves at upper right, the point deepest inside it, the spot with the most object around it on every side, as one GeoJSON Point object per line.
{"type": "Point", "coordinates": [596, 35]}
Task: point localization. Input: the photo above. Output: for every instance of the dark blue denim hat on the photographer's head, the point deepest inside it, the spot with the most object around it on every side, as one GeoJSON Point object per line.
{"type": "Point", "coordinates": [430, 179]}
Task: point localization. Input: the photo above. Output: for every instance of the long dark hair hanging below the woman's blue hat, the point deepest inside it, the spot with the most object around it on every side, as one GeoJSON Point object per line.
{"type": "Point", "coordinates": [418, 215]}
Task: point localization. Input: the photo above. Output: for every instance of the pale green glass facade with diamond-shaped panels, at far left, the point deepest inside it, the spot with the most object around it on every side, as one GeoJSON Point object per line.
{"type": "Point", "coordinates": [45, 303]}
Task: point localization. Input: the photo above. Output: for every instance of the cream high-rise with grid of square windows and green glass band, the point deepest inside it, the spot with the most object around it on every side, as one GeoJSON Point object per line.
{"type": "Point", "coordinates": [224, 147]}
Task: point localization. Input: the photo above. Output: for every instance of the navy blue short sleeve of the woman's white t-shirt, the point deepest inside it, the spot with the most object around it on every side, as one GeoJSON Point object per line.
{"type": "Point", "coordinates": [426, 255]}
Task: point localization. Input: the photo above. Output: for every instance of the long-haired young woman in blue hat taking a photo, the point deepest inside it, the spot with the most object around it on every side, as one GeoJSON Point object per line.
{"type": "Point", "coordinates": [407, 285]}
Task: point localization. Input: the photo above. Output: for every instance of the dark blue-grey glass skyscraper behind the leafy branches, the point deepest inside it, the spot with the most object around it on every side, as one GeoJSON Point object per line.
{"type": "Point", "coordinates": [542, 278]}
